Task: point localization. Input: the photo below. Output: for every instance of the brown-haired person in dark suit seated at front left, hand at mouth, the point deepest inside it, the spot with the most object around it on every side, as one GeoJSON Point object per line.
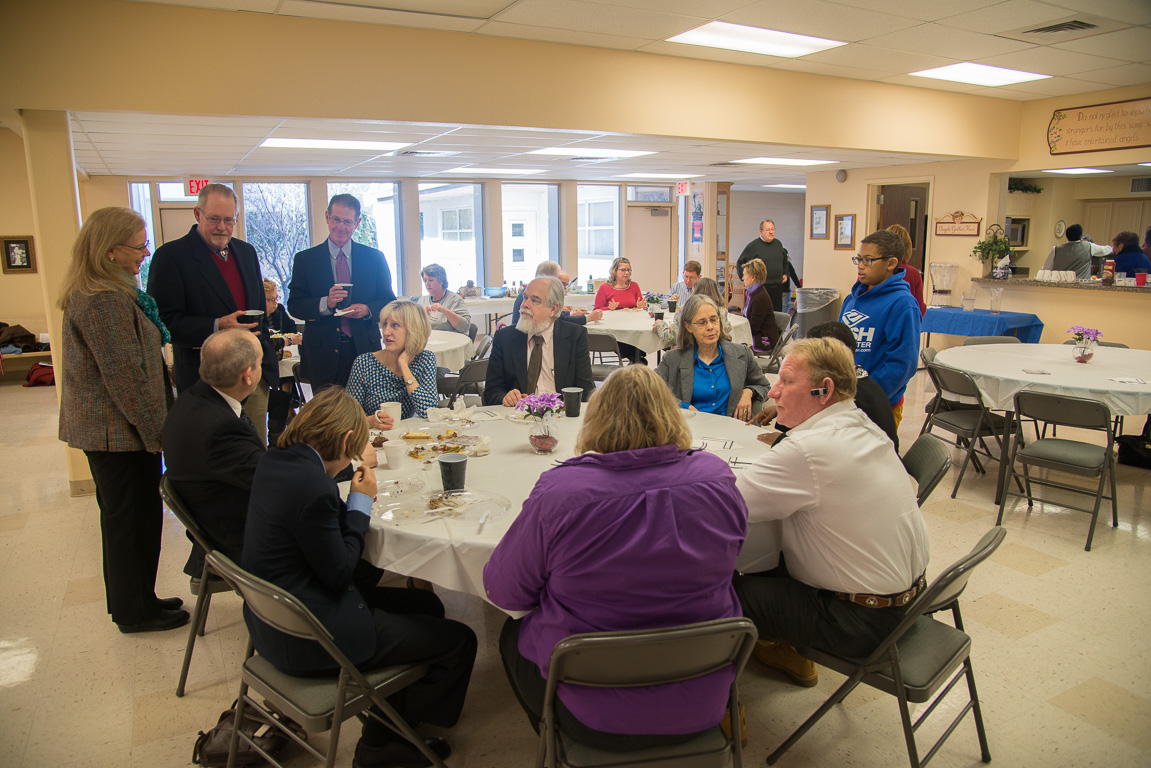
{"type": "Point", "coordinates": [302, 537]}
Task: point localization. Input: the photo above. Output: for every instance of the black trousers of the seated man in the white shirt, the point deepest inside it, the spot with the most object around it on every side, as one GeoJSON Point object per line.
{"type": "Point", "coordinates": [792, 612]}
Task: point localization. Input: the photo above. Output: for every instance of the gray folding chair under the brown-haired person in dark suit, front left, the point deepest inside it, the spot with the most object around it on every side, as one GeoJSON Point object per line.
{"type": "Point", "coordinates": [318, 704]}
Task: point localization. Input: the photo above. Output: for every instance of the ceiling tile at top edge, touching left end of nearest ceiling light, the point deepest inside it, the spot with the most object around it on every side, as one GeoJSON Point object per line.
{"type": "Point", "coordinates": [598, 18]}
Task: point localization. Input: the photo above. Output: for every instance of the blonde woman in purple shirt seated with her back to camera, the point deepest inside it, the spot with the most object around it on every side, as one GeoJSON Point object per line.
{"type": "Point", "coordinates": [635, 533]}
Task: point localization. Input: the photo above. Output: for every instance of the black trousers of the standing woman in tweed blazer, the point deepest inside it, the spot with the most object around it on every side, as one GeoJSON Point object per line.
{"type": "Point", "coordinates": [132, 522]}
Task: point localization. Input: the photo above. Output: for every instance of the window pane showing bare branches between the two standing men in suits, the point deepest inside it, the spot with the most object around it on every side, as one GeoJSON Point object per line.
{"type": "Point", "coordinates": [276, 224]}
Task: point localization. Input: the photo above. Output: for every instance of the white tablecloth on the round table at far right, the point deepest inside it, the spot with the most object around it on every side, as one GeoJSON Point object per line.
{"type": "Point", "coordinates": [1000, 372]}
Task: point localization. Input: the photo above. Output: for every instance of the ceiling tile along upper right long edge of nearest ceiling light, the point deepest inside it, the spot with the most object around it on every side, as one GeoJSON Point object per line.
{"type": "Point", "coordinates": [819, 19]}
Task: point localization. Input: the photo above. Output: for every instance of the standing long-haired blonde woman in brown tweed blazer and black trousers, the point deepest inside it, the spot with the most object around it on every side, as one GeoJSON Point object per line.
{"type": "Point", "coordinates": [115, 398]}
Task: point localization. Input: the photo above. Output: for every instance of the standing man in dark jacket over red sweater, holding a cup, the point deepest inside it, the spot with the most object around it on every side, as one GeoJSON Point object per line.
{"type": "Point", "coordinates": [204, 283]}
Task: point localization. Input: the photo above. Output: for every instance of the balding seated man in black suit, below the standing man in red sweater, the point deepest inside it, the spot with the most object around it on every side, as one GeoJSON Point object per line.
{"type": "Point", "coordinates": [210, 450]}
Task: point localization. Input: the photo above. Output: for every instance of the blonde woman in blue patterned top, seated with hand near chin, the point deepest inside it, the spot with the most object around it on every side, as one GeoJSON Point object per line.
{"type": "Point", "coordinates": [403, 371]}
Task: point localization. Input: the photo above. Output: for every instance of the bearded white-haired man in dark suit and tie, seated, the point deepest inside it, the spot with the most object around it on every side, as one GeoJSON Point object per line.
{"type": "Point", "coordinates": [560, 351]}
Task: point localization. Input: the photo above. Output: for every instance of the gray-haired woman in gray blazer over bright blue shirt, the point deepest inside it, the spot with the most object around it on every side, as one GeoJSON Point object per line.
{"type": "Point", "coordinates": [708, 372]}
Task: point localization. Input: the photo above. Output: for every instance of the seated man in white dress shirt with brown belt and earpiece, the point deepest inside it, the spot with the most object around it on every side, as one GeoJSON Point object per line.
{"type": "Point", "coordinates": [855, 542]}
